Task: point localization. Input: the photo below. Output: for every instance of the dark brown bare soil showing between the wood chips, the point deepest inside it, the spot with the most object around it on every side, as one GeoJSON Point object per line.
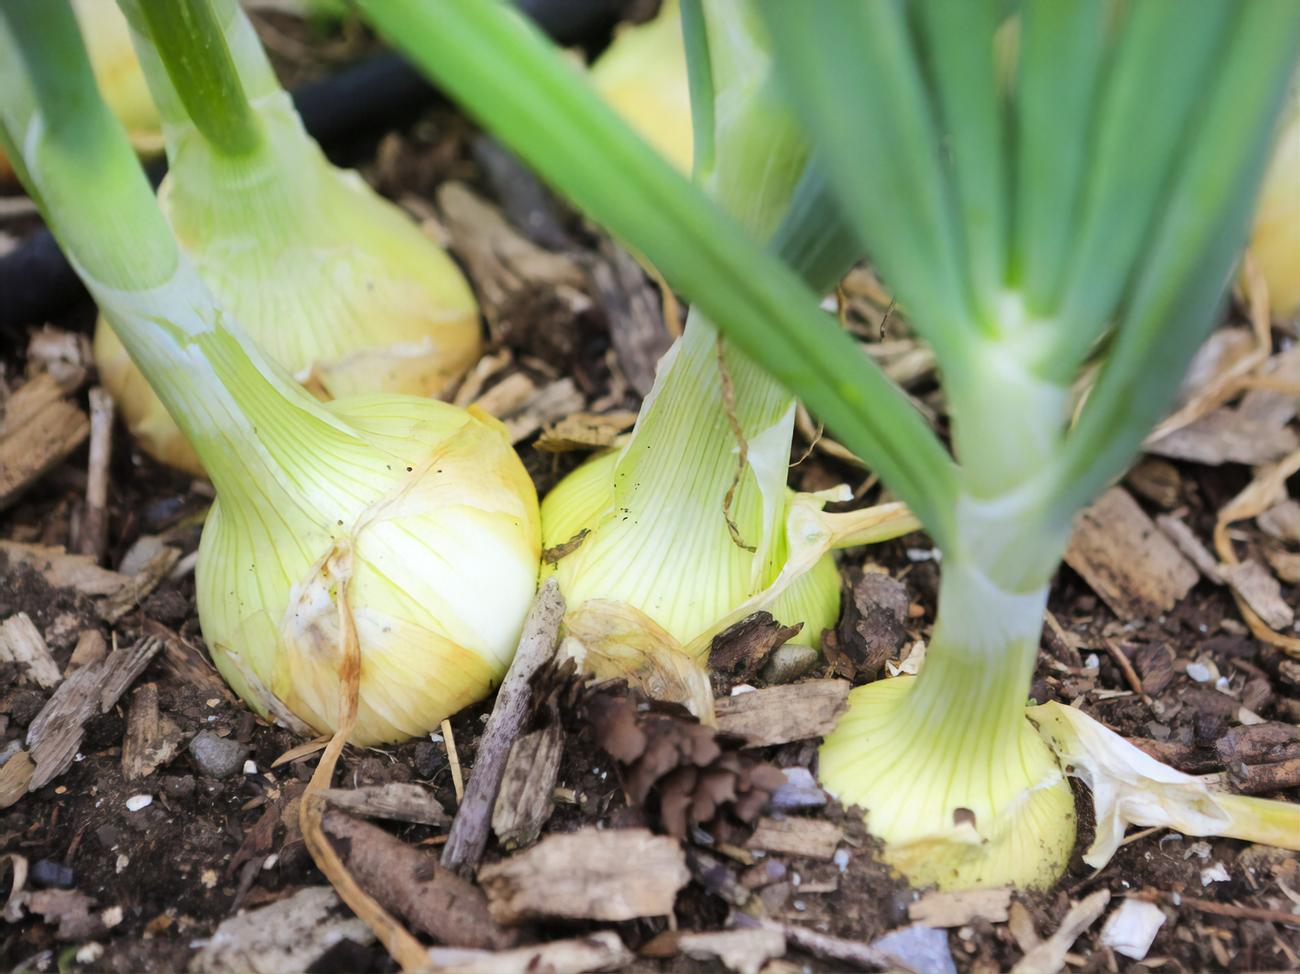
{"type": "Point", "coordinates": [176, 868]}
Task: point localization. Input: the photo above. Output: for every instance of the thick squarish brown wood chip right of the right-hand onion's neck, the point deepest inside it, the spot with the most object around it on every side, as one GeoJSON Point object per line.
{"type": "Point", "coordinates": [1126, 560]}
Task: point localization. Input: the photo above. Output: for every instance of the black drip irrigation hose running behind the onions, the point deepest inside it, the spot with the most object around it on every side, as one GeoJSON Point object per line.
{"type": "Point", "coordinates": [37, 284]}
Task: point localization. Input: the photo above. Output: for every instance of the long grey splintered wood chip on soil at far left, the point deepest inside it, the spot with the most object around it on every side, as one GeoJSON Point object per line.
{"type": "Point", "coordinates": [57, 733]}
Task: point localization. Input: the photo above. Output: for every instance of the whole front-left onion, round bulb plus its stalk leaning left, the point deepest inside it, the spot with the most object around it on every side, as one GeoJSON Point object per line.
{"type": "Point", "coordinates": [398, 530]}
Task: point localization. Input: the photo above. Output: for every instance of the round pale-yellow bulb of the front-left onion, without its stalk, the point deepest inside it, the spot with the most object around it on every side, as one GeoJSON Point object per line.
{"type": "Point", "coordinates": [430, 543]}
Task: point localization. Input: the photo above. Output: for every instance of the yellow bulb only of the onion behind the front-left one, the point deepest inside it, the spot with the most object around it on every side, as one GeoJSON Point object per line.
{"type": "Point", "coordinates": [341, 289]}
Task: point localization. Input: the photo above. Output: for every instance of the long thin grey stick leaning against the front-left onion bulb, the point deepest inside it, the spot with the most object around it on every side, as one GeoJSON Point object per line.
{"type": "Point", "coordinates": [470, 830]}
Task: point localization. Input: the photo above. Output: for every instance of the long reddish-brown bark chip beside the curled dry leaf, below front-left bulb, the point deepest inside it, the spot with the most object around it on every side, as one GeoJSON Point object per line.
{"type": "Point", "coordinates": [410, 884]}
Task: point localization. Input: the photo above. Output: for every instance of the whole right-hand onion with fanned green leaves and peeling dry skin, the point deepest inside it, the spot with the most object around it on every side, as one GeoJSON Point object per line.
{"type": "Point", "coordinates": [1089, 217]}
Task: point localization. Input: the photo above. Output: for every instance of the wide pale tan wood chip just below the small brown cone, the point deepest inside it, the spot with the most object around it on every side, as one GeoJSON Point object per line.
{"type": "Point", "coordinates": [610, 875]}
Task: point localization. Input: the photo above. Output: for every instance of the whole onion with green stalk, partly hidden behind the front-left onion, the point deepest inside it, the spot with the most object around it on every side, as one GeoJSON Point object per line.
{"type": "Point", "coordinates": [335, 283]}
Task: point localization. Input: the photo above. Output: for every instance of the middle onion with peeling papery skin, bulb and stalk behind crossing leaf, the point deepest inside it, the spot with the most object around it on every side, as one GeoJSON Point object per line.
{"type": "Point", "coordinates": [691, 525]}
